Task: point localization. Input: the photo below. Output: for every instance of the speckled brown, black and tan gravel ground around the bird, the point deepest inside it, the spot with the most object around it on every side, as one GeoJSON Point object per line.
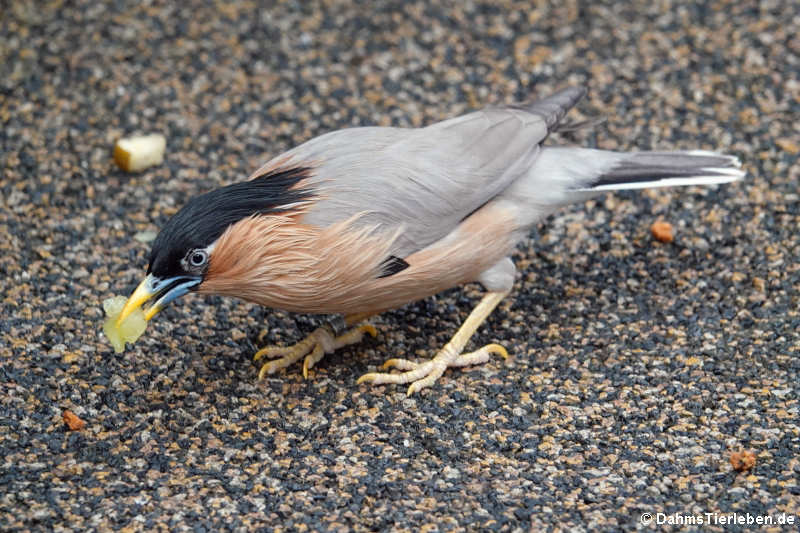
{"type": "Point", "coordinates": [639, 367]}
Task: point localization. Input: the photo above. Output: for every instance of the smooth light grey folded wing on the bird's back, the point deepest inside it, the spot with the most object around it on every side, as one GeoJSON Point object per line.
{"type": "Point", "coordinates": [423, 182]}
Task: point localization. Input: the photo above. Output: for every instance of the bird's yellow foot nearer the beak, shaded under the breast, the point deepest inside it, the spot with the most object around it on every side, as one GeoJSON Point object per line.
{"type": "Point", "coordinates": [314, 347]}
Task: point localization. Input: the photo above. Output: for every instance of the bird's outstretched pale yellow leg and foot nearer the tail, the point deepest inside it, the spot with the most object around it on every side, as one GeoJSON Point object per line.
{"type": "Point", "coordinates": [425, 374]}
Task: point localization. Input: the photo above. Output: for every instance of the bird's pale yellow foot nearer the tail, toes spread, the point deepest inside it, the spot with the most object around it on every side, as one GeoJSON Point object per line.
{"type": "Point", "coordinates": [425, 374]}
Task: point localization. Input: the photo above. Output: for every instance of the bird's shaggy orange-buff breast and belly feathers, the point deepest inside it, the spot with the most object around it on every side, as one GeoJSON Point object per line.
{"type": "Point", "coordinates": [277, 262]}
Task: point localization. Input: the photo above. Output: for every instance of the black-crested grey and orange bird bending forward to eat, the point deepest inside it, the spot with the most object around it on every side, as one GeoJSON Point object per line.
{"type": "Point", "coordinates": [362, 220]}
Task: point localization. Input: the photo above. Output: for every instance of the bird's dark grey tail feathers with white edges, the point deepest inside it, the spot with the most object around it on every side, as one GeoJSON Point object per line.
{"type": "Point", "coordinates": [641, 170]}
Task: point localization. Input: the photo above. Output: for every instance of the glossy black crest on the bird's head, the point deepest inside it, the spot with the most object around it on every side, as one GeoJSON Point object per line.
{"type": "Point", "coordinates": [203, 220]}
